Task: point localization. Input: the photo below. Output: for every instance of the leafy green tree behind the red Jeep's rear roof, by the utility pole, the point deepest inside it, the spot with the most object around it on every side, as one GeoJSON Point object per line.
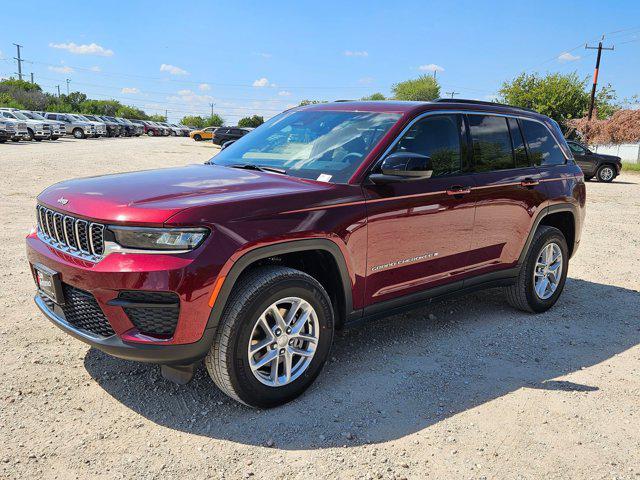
{"type": "Point", "coordinates": [559, 96]}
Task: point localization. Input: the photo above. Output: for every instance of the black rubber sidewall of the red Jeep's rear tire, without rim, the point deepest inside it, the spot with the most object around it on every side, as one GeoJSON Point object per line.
{"type": "Point", "coordinates": [551, 235]}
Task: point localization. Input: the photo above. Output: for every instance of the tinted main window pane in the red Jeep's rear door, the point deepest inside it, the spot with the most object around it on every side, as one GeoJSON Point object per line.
{"type": "Point", "coordinates": [491, 143]}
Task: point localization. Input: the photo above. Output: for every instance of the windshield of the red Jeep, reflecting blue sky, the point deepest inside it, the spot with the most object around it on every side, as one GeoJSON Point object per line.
{"type": "Point", "coordinates": [317, 144]}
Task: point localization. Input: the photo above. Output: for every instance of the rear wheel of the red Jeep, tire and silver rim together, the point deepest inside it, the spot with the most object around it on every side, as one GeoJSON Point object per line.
{"type": "Point", "coordinates": [543, 273]}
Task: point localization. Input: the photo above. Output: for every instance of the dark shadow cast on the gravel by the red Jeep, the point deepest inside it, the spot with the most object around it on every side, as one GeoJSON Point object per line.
{"type": "Point", "coordinates": [392, 377]}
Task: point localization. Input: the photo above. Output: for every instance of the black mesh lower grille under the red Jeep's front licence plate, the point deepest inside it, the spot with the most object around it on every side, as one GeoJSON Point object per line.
{"type": "Point", "coordinates": [81, 310]}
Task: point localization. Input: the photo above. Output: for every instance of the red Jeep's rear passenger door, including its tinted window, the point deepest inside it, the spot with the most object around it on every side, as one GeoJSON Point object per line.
{"type": "Point", "coordinates": [508, 192]}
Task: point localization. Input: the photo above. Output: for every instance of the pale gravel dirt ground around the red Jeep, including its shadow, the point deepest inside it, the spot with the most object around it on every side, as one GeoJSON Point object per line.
{"type": "Point", "coordinates": [464, 389]}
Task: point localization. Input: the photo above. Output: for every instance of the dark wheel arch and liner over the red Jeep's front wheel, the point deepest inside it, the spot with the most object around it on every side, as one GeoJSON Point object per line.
{"type": "Point", "coordinates": [320, 258]}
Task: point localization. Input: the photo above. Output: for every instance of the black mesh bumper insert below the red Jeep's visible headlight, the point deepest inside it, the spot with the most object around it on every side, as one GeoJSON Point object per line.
{"type": "Point", "coordinates": [157, 313]}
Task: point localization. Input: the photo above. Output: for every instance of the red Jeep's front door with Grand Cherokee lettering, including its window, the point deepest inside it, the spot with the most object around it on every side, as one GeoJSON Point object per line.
{"type": "Point", "coordinates": [419, 231]}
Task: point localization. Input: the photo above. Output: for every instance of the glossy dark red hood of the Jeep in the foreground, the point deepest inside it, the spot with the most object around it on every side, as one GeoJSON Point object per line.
{"type": "Point", "coordinates": [152, 196]}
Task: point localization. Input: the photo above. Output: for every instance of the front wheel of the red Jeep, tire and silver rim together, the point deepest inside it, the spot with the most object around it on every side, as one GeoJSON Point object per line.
{"type": "Point", "coordinates": [274, 337]}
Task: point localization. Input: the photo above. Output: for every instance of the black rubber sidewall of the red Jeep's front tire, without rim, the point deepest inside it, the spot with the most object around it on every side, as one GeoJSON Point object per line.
{"type": "Point", "coordinates": [249, 388]}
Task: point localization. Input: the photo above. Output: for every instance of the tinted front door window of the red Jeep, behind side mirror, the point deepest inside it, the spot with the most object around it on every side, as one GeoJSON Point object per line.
{"type": "Point", "coordinates": [437, 137]}
